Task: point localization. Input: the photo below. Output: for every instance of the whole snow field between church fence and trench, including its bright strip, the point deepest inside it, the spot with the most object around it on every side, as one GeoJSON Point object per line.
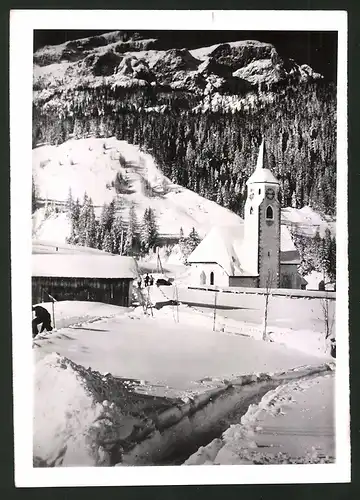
{"type": "Point", "coordinates": [156, 348]}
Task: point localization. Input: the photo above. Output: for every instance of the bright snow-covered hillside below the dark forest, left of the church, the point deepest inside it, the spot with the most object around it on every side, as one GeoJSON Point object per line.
{"type": "Point", "coordinates": [91, 165]}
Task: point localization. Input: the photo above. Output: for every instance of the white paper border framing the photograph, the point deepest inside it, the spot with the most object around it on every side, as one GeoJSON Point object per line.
{"type": "Point", "coordinates": [22, 25]}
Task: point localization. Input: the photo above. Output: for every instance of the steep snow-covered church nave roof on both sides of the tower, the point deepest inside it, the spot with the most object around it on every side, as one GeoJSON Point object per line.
{"type": "Point", "coordinates": [225, 246]}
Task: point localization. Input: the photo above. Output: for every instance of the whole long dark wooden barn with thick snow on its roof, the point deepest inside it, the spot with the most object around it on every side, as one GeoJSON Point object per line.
{"type": "Point", "coordinates": [98, 277]}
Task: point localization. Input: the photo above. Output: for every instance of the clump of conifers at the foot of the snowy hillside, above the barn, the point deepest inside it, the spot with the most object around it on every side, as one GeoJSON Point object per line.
{"type": "Point", "coordinates": [110, 232]}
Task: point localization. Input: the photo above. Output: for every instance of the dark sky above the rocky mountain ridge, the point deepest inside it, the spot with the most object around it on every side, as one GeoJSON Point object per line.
{"type": "Point", "coordinates": [318, 49]}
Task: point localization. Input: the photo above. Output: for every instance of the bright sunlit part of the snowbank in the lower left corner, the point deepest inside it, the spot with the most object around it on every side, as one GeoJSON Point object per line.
{"type": "Point", "coordinates": [69, 419]}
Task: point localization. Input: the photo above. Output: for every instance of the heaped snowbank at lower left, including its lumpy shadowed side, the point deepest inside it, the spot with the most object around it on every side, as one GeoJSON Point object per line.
{"type": "Point", "coordinates": [82, 417]}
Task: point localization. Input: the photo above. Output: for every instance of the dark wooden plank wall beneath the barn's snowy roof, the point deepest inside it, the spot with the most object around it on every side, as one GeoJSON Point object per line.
{"type": "Point", "coordinates": [115, 291]}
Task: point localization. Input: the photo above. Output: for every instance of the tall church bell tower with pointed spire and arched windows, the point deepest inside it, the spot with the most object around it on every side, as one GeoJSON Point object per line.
{"type": "Point", "coordinates": [262, 224]}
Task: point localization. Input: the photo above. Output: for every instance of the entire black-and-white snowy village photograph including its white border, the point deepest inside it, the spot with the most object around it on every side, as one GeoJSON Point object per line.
{"type": "Point", "coordinates": [187, 262]}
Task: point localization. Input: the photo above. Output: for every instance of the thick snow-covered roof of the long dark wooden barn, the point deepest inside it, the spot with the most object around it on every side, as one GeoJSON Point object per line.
{"type": "Point", "coordinates": [83, 266]}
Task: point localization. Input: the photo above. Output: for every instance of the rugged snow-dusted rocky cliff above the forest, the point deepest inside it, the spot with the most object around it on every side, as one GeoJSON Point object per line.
{"type": "Point", "coordinates": [231, 68]}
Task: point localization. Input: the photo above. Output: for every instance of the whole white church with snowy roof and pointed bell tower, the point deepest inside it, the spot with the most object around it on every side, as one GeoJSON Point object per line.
{"type": "Point", "coordinates": [259, 251]}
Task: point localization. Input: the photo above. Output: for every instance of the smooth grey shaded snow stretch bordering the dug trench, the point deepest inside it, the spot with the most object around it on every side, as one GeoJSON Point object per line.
{"type": "Point", "coordinates": [167, 353]}
